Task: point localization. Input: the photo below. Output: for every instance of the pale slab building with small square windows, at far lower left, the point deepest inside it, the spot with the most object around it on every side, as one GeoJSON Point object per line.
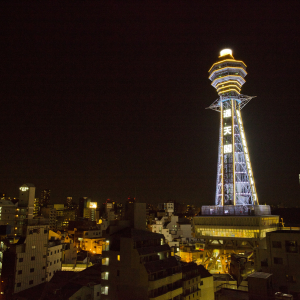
{"type": "Point", "coordinates": [24, 263]}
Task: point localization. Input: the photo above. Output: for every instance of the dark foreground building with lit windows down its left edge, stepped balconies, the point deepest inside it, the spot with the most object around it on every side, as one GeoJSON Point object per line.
{"type": "Point", "coordinates": [137, 265]}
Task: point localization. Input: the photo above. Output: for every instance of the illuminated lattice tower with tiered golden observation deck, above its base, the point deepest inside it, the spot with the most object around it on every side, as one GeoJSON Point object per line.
{"type": "Point", "coordinates": [235, 181]}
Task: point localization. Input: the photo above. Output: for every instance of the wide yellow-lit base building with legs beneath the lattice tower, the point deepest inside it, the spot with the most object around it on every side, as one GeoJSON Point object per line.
{"type": "Point", "coordinates": [227, 234]}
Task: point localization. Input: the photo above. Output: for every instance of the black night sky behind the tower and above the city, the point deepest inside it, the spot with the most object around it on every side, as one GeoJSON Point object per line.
{"type": "Point", "coordinates": [108, 100]}
